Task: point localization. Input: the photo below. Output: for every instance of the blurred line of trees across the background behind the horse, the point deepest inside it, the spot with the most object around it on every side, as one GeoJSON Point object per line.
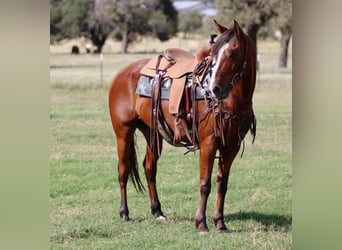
{"type": "Point", "coordinates": [129, 19]}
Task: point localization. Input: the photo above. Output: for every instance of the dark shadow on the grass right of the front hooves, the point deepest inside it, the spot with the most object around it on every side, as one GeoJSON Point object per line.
{"type": "Point", "coordinates": [271, 222]}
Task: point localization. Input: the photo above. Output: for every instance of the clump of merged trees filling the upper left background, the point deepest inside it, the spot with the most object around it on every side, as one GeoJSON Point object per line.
{"type": "Point", "coordinates": [98, 19]}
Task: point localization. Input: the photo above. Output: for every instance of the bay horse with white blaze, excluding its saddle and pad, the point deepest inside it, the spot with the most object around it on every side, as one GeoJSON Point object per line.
{"type": "Point", "coordinates": [221, 118]}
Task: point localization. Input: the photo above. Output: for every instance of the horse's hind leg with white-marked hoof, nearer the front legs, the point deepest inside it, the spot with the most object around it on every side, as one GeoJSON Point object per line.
{"type": "Point", "coordinates": [150, 166]}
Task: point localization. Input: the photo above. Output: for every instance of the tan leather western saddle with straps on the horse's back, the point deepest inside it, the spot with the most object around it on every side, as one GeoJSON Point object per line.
{"type": "Point", "coordinates": [176, 64]}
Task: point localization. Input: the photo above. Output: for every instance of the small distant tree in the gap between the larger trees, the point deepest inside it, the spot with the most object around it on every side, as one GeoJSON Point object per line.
{"type": "Point", "coordinates": [189, 22]}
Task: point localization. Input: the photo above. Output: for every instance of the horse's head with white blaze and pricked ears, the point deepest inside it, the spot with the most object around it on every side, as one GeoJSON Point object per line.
{"type": "Point", "coordinates": [228, 59]}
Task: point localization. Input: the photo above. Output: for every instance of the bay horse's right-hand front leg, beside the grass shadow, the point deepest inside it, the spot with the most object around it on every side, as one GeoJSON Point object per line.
{"type": "Point", "coordinates": [225, 162]}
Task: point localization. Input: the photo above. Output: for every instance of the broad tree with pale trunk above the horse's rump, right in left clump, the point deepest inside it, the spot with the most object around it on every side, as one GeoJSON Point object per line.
{"type": "Point", "coordinates": [129, 18]}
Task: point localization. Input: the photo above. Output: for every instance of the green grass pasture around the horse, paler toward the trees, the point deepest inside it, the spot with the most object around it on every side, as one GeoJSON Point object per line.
{"type": "Point", "coordinates": [84, 192]}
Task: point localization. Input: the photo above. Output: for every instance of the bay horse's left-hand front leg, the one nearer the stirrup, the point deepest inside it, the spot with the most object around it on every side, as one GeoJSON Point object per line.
{"type": "Point", "coordinates": [207, 157]}
